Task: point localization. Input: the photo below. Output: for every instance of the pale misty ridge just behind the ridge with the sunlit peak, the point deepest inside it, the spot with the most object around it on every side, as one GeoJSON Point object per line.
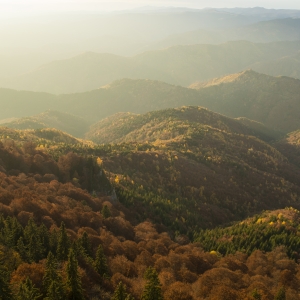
{"type": "Point", "coordinates": [180, 65]}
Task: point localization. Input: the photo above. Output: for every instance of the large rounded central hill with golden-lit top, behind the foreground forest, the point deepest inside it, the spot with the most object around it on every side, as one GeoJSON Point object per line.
{"type": "Point", "coordinates": [197, 160]}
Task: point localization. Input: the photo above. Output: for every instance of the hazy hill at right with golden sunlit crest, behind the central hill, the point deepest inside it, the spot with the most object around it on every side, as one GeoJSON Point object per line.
{"type": "Point", "coordinates": [273, 101]}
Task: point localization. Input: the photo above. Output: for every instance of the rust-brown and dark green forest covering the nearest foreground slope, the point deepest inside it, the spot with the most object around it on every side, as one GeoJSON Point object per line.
{"type": "Point", "coordinates": [65, 235]}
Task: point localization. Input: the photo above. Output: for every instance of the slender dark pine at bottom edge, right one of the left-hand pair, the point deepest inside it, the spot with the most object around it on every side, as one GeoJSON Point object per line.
{"type": "Point", "coordinates": [75, 291]}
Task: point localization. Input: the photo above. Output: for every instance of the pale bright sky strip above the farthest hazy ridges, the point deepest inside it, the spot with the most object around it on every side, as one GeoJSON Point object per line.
{"type": "Point", "coordinates": [49, 5]}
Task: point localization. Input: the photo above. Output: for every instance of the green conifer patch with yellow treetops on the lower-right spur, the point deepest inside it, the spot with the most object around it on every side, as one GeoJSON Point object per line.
{"type": "Point", "coordinates": [257, 233]}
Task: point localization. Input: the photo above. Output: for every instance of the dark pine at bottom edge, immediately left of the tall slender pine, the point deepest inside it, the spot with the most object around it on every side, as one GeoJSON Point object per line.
{"type": "Point", "coordinates": [52, 281]}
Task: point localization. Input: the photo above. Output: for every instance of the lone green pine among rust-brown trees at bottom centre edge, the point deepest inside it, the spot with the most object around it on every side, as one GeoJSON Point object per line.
{"type": "Point", "coordinates": [152, 290]}
